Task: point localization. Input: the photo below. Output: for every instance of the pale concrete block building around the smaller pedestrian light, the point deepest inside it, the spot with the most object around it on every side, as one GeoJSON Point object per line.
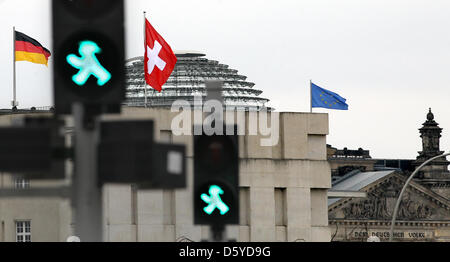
{"type": "Point", "coordinates": [296, 164]}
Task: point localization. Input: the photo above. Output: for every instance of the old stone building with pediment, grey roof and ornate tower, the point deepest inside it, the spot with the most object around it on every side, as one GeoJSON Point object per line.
{"type": "Point", "coordinates": [424, 213]}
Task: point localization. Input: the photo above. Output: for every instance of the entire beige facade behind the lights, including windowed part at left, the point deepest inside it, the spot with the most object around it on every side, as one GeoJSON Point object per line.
{"type": "Point", "coordinates": [283, 194]}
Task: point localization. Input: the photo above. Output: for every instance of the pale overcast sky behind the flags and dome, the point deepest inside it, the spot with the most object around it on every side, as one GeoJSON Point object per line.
{"type": "Point", "coordinates": [389, 58]}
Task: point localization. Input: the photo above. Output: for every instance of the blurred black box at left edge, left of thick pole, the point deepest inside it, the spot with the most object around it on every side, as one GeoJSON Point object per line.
{"type": "Point", "coordinates": [35, 150]}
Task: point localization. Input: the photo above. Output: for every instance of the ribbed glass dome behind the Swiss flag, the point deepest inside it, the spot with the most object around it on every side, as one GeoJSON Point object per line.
{"type": "Point", "coordinates": [188, 81]}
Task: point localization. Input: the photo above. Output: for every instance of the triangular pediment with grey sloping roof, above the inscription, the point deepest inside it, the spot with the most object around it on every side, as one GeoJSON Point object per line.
{"type": "Point", "coordinates": [383, 188]}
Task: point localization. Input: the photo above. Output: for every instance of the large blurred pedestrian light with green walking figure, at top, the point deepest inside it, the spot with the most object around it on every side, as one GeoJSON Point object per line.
{"type": "Point", "coordinates": [88, 43]}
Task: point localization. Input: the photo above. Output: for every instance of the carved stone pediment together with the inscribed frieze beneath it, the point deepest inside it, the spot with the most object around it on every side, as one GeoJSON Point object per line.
{"type": "Point", "coordinates": [423, 215]}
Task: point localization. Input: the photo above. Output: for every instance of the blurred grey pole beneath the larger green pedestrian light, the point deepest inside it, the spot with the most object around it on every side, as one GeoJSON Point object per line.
{"type": "Point", "coordinates": [87, 192]}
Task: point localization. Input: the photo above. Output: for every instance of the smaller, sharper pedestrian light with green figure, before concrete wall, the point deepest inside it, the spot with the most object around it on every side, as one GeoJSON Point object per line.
{"type": "Point", "coordinates": [216, 179]}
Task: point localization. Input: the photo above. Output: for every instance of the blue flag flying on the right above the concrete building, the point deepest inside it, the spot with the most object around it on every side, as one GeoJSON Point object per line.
{"type": "Point", "coordinates": [326, 99]}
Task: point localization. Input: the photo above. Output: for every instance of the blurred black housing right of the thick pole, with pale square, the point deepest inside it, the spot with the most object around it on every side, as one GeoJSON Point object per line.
{"type": "Point", "coordinates": [127, 154]}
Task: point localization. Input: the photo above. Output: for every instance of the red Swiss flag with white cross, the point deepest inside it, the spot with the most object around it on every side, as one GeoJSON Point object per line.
{"type": "Point", "coordinates": [159, 59]}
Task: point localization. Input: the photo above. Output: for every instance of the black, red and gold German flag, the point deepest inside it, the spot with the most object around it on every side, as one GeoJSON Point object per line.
{"type": "Point", "coordinates": [28, 49]}
